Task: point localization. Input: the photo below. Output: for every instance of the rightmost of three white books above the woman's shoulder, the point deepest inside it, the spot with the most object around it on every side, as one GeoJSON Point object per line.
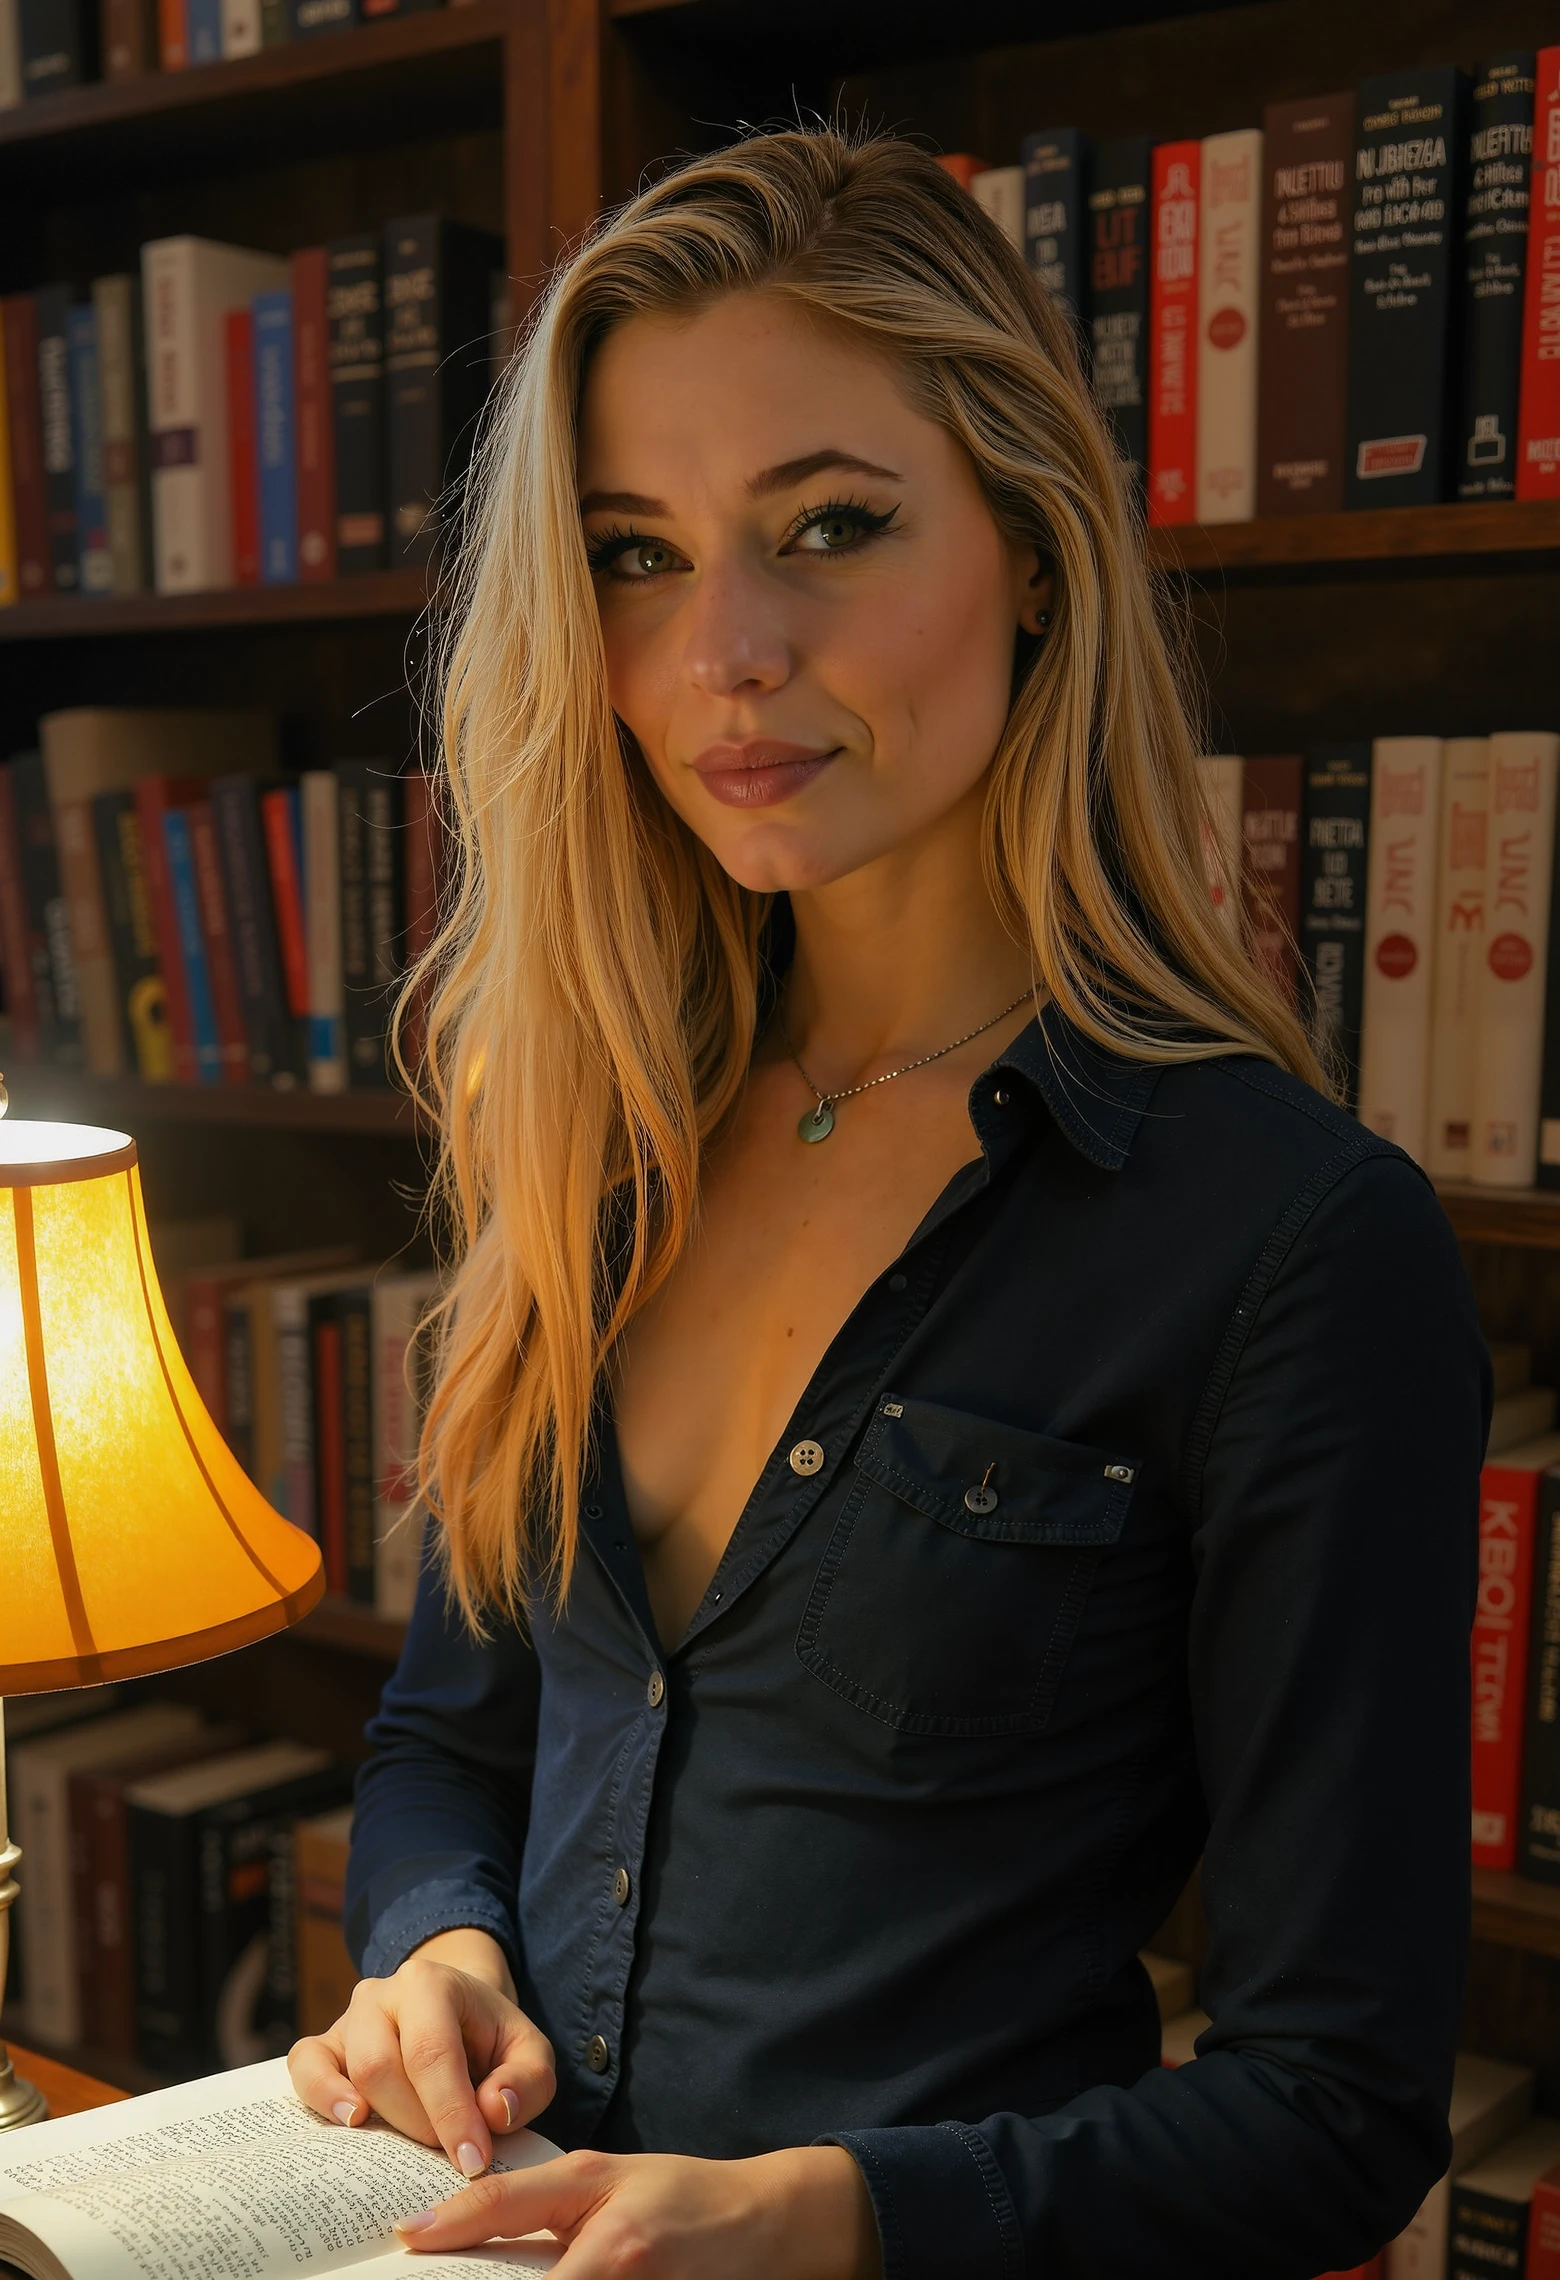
{"type": "Point", "coordinates": [1511, 991]}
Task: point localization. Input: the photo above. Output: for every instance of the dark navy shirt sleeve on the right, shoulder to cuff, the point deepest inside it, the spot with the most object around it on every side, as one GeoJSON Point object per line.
{"type": "Point", "coordinates": [1333, 1510]}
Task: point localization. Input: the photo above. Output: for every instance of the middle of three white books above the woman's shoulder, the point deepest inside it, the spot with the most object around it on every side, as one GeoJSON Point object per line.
{"type": "Point", "coordinates": [1459, 954]}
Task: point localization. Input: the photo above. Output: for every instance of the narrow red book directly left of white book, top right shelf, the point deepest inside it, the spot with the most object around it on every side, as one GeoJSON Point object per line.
{"type": "Point", "coordinates": [1173, 334]}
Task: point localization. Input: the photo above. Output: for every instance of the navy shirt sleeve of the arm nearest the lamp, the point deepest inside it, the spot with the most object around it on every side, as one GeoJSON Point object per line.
{"type": "Point", "coordinates": [444, 1805]}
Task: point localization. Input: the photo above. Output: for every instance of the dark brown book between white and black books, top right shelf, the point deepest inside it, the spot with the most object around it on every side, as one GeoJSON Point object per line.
{"type": "Point", "coordinates": [1303, 332]}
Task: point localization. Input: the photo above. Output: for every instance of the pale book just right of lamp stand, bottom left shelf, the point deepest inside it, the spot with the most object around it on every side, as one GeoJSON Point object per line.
{"type": "Point", "coordinates": [40, 1782]}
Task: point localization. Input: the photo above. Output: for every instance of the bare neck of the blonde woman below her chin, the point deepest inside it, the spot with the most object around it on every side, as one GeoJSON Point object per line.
{"type": "Point", "coordinates": [900, 956]}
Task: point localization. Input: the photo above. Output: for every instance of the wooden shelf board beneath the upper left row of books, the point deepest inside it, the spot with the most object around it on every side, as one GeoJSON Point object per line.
{"type": "Point", "coordinates": [375, 594]}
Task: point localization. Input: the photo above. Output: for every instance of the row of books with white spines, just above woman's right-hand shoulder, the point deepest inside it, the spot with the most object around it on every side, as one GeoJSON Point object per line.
{"type": "Point", "coordinates": [1406, 888]}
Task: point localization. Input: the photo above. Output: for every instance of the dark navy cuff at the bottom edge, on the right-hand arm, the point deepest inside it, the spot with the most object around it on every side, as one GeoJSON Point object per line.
{"type": "Point", "coordinates": [941, 2201]}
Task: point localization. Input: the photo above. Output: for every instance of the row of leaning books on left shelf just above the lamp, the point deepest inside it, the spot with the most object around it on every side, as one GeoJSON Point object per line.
{"type": "Point", "coordinates": [177, 906]}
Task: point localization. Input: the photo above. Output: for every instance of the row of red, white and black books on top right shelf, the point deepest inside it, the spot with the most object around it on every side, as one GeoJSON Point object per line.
{"type": "Point", "coordinates": [1349, 307]}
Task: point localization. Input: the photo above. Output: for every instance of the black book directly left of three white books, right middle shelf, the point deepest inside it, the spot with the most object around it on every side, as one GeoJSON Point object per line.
{"type": "Point", "coordinates": [1333, 899]}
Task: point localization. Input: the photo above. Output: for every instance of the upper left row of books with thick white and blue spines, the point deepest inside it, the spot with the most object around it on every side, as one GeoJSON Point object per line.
{"type": "Point", "coordinates": [229, 418]}
